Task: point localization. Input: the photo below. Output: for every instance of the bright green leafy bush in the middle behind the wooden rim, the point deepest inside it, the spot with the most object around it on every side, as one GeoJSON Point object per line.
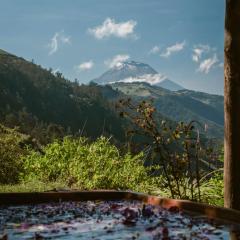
{"type": "Point", "coordinates": [97, 165]}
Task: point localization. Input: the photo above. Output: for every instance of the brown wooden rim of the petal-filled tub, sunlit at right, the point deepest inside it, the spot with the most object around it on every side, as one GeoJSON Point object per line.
{"type": "Point", "coordinates": [212, 212]}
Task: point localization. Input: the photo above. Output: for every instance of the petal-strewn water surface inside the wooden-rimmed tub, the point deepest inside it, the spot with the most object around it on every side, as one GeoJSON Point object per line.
{"type": "Point", "coordinates": [107, 220]}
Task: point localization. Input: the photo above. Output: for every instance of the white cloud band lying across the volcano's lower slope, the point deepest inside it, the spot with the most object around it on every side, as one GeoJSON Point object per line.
{"type": "Point", "coordinates": [149, 78]}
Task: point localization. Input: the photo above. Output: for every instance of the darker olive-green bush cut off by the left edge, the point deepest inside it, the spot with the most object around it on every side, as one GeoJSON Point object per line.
{"type": "Point", "coordinates": [11, 150]}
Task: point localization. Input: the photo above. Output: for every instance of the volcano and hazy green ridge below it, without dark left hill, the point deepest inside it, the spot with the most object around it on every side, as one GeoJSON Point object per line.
{"type": "Point", "coordinates": [141, 81]}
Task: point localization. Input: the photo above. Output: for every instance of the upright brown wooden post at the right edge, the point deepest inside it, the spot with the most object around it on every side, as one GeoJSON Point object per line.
{"type": "Point", "coordinates": [232, 105]}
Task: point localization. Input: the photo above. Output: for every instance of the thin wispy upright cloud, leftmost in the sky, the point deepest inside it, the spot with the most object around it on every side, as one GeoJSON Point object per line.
{"type": "Point", "coordinates": [56, 40]}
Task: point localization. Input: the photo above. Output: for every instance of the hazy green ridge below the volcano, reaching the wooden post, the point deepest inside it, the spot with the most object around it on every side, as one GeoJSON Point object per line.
{"type": "Point", "coordinates": [183, 105]}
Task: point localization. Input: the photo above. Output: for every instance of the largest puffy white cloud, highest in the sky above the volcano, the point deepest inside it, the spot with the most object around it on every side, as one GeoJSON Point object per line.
{"type": "Point", "coordinates": [110, 28]}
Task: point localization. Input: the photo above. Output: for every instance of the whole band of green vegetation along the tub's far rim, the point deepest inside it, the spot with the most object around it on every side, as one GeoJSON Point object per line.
{"type": "Point", "coordinates": [77, 163]}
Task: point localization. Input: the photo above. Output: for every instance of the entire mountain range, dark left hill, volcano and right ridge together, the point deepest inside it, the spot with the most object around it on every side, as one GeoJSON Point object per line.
{"type": "Point", "coordinates": [38, 101]}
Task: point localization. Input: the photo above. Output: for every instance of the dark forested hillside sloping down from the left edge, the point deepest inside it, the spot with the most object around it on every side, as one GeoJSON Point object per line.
{"type": "Point", "coordinates": [44, 104]}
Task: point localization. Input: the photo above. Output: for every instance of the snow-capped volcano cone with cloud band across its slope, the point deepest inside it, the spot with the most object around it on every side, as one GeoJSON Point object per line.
{"type": "Point", "coordinates": [131, 71]}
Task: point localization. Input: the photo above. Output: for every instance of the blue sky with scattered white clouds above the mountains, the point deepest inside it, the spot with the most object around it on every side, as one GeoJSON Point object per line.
{"type": "Point", "coordinates": [181, 39]}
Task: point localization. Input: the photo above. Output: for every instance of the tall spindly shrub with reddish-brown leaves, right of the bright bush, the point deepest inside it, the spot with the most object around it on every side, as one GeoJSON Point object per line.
{"type": "Point", "coordinates": [176, 150]}
